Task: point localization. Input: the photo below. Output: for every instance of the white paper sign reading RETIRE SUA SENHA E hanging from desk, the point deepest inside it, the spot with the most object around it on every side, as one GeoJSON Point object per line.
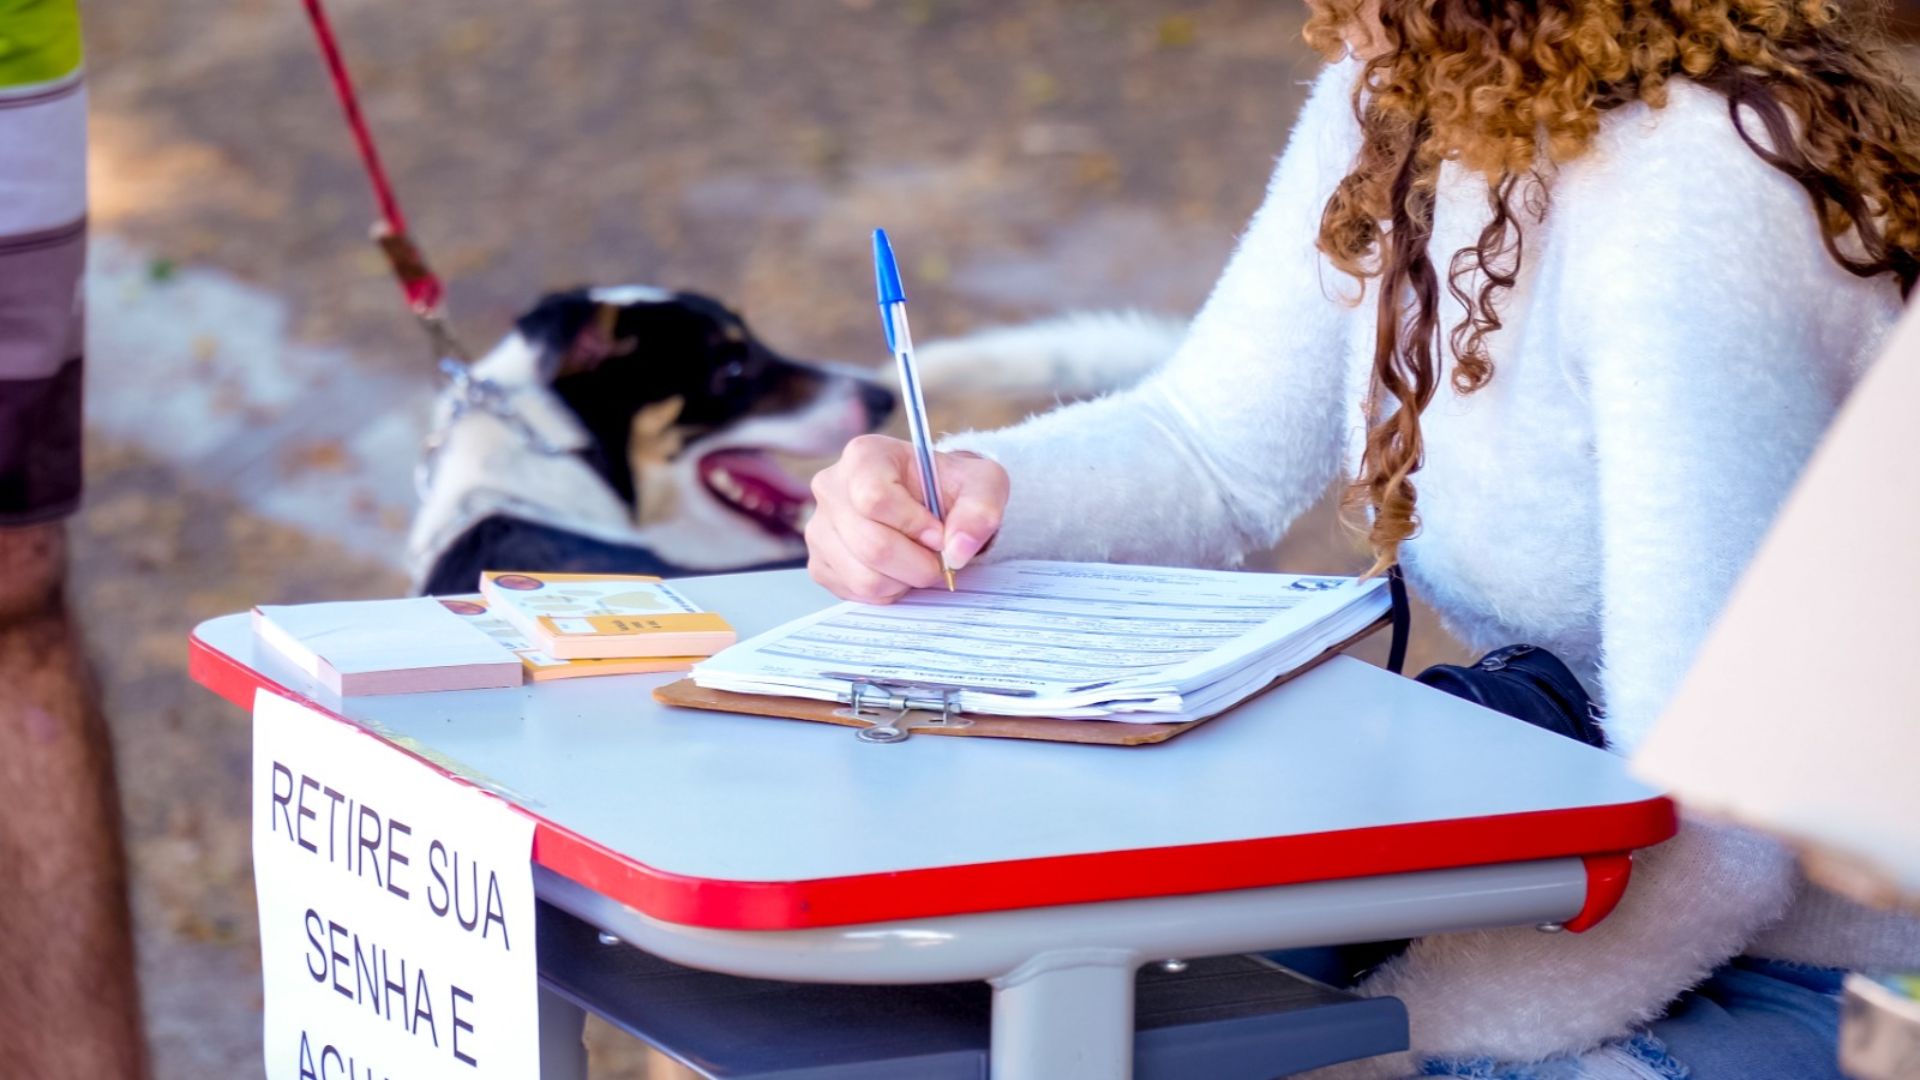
{"type": "Point", "coordinates": [396, 912]}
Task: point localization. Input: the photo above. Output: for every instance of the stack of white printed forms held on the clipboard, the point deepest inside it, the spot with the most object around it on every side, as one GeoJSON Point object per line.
{"type": "Point", "coordinates": [1080, 641]}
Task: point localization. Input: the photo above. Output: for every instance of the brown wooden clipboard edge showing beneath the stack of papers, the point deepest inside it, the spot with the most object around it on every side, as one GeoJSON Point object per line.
{"type": "Point", "coordinates": [684, 695]}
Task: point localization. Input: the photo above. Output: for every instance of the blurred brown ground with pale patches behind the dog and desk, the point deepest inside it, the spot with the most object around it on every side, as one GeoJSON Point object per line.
{"type": "Point", "coordinates": [256, 385]}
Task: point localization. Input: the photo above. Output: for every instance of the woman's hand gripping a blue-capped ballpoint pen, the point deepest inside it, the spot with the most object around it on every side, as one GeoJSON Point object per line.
{"type": "Point", "coordinates": [878, 528]}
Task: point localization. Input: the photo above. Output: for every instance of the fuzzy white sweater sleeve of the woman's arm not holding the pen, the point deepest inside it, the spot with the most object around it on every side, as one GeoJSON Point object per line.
{"type": "Point", "coordinates": [1714, 339]}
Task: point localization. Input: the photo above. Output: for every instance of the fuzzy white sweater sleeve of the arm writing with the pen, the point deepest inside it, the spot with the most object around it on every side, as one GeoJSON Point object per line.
{"type": "Point", "coordinates": [1241, 431]}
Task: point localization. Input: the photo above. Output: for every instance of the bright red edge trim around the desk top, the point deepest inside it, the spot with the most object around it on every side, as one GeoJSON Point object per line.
{"type": "Point", "coordinates": [1602, 837]}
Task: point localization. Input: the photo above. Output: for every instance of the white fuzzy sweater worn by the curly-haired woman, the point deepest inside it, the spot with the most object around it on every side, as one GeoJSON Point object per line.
{"type": "Point", "coordinates": [1671, 355]}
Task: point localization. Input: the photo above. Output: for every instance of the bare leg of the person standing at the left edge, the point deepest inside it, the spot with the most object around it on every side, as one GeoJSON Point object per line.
{"type": "Point", "coordinates": [68, 996]}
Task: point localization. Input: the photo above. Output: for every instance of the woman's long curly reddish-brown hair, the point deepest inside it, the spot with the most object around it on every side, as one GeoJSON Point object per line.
{"type": "Point", "coordinates": [1510, 87]}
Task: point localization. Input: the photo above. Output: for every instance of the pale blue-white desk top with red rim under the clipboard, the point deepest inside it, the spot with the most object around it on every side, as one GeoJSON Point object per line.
{"type": "Point", "coordinates": [669, 810]}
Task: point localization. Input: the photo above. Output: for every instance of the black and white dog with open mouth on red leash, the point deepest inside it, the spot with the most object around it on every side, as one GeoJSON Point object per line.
{"type": "Point", "coordinates": [629, 431]}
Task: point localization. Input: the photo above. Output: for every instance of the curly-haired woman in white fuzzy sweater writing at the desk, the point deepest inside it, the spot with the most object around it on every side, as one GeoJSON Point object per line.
{"type": "Point", "coordinates": [1568, 291]}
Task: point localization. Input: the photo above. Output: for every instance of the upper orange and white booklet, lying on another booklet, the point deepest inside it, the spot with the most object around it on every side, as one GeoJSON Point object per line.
{"type": "Point", "coordinates": [604, 616]}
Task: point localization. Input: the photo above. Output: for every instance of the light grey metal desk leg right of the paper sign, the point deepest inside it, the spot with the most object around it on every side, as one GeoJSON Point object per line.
{"type": "Point", "coordinates": [1065, 1016]}
